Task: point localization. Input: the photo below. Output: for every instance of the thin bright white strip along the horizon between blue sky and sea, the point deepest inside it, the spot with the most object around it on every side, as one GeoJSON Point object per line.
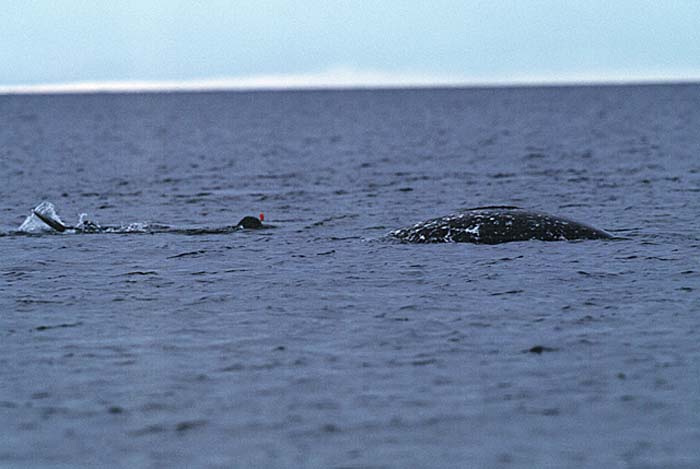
{"type": "Point", "coordinates": [335, 80]}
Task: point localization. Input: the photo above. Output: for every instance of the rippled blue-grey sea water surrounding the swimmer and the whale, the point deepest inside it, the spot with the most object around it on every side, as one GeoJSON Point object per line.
{"type": "Point", "coordinates": [320, 343]}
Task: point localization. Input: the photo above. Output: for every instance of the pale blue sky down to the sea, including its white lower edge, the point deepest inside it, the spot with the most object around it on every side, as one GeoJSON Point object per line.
{"type": "Point", "coordinates": [404, 41]}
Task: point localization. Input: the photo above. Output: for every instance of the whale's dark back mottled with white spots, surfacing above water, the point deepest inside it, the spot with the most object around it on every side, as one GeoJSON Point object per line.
{"type": "Point", "coordinates": [494, 225]}
